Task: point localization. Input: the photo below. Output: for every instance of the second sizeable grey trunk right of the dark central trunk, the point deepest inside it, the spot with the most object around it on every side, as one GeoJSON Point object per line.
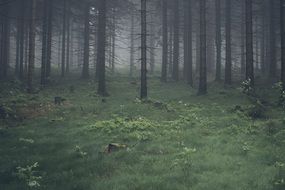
{"type": "Point", "coordinates": [175, 72]}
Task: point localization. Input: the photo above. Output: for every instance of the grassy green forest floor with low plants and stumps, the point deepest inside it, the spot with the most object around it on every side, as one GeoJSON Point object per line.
{"type": "Point", "coordinates": [174, 141]}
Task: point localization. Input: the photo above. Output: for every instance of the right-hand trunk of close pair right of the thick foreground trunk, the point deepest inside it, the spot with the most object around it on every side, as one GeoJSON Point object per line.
{"type": "Point", "coordinates": [228, 68]}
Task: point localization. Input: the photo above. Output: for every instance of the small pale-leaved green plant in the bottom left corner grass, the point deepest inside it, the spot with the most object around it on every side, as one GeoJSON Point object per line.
{"type": "Point", "coordinates": [29, 175]}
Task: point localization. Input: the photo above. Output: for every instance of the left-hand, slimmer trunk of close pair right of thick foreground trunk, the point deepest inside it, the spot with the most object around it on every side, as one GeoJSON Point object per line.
{"type": "Point", "coordinates": [218, 41]}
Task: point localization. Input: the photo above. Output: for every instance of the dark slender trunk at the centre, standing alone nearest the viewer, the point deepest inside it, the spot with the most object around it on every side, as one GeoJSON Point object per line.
{"type": "Point", "coordinates": [143, 94]}
